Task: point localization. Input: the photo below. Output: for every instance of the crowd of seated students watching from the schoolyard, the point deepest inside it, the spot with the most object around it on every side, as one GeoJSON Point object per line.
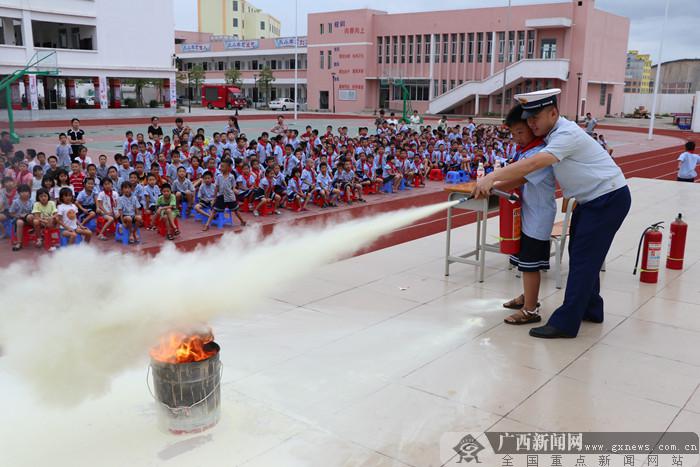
{"type": "Point", "coordinates": [190, 170]}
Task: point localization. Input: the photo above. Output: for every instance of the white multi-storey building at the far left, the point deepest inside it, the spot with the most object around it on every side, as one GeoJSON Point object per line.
{"type": "Point", "coordinates": [97, 43]}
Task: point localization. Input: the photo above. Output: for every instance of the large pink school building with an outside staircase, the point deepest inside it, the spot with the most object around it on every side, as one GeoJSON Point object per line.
{"type": "Point", "coordinates": [453, 61]}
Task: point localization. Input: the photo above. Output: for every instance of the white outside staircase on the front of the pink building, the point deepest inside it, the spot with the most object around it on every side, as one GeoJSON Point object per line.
{"type": "Point", "coordinates": [524, 69]}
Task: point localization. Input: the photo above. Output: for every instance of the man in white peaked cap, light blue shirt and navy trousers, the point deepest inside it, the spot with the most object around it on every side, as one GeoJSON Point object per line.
{"type": "Point", "coordinates": [588, 174]}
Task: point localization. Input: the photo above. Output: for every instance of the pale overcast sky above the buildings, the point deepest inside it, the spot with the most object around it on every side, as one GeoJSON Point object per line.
{"type": "Point", "coordinates": [646, 17]}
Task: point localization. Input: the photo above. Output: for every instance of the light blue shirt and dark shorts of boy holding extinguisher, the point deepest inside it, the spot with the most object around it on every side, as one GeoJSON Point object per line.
{"type": "Point", "coordinates": [539, 208]}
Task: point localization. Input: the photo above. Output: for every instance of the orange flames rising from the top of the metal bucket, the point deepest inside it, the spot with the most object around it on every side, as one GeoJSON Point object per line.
{"type": "Point", "coordinates": [179, 347]}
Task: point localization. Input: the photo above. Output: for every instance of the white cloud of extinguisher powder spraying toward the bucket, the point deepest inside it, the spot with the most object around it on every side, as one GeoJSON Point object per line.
{"type": "Point", "coordinates": [83, 315]}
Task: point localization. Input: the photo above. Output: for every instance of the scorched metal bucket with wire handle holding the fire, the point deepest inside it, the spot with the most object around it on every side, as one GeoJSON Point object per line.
{"type": "Point", "coordinates": [188, 395]}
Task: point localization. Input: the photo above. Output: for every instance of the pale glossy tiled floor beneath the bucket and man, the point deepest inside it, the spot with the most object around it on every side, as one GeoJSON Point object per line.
{"type": "Point", "coordinates": [373, 359]}
